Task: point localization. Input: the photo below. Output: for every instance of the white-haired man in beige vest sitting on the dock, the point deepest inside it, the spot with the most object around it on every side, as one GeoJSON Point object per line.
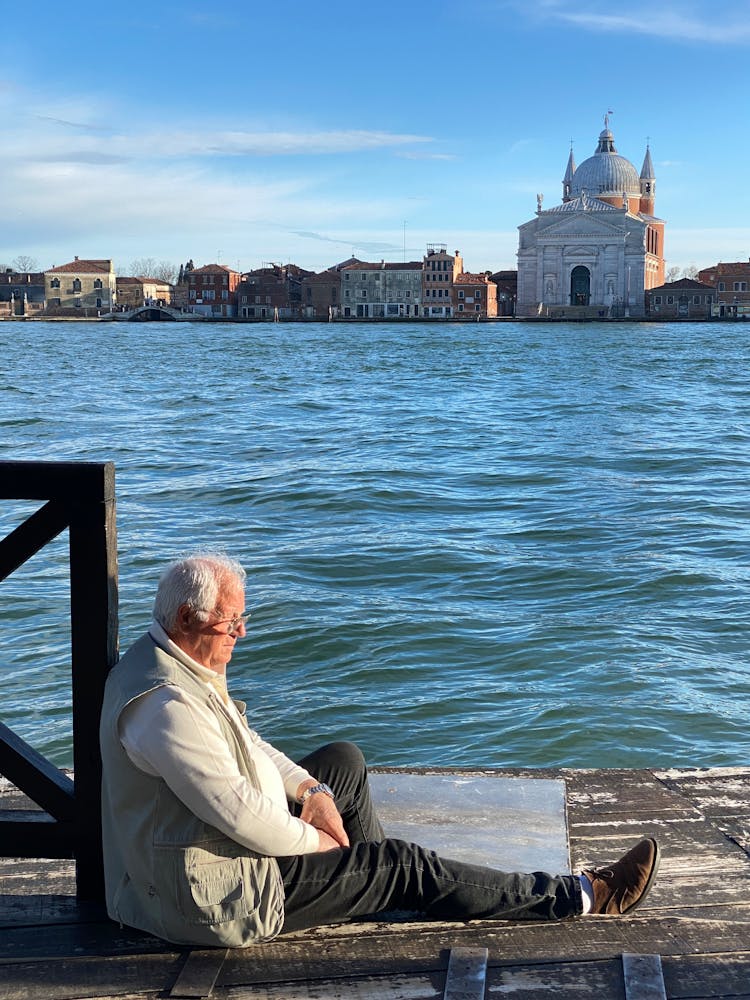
{"type": "Point", "coordinates": [214, 837]}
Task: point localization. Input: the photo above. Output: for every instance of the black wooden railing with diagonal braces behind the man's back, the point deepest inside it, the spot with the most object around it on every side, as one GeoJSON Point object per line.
{"type": "Point", "coordinates": [79, 497]}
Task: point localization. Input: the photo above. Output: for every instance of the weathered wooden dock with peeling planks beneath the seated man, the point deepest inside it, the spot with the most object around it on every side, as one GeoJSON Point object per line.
{"type": "Point", "coordinates": [690, 939]}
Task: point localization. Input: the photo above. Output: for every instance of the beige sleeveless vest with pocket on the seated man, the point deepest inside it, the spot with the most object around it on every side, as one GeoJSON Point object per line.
{"type": "Point", "coordinates": [166, 871]}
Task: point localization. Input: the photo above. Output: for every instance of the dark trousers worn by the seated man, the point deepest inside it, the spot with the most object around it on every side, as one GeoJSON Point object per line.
{"type": "Point", "coordinates": [379, 874]}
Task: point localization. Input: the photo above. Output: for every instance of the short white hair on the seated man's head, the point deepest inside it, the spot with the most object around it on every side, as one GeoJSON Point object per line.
{"type": "Point", "coordinates": [194, 581]}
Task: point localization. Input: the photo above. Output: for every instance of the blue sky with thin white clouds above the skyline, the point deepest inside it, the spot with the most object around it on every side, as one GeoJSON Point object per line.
{"type": "Point", "coordinates": [307, 132]}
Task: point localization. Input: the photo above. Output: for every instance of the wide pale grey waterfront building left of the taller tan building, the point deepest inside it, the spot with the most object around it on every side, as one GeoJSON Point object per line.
{"type": "Point", "coordinates": [380, 291]}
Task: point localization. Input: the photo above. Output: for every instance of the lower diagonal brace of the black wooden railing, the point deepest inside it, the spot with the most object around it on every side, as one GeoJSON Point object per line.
{"type": "Point", "coordinates": [33, 774]}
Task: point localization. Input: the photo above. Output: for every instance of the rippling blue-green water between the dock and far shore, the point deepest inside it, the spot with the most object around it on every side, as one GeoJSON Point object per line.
{"type": "Point", "coordinates": [486, 545]}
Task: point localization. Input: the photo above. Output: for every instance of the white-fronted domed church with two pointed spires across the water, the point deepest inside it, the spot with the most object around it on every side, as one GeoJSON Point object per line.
{"type": "Point", "coordinates": [597, 253]}
